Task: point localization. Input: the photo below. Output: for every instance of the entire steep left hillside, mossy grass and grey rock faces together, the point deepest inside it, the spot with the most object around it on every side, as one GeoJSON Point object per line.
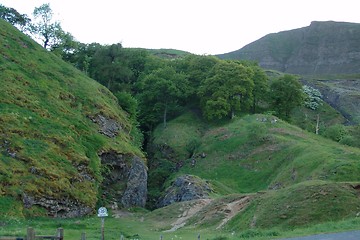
{"type": "Point", "coordinates": [63, 137]}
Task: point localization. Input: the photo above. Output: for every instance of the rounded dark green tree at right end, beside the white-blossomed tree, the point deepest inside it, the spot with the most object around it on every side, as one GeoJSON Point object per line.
{"type": "Point", "coordinates": [285, 94]}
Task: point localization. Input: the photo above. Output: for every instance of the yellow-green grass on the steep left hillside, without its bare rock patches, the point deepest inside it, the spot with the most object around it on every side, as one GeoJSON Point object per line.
{"type": "Point", "coordinates": [46, 132]}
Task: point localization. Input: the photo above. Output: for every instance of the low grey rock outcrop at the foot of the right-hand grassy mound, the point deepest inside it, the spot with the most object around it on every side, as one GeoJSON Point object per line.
{"type": "Point", "coordinates": [185, 188]}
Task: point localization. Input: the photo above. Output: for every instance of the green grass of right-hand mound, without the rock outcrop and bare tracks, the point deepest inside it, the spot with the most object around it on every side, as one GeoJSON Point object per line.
{"type": "Point", "coordinates": [304, 178]}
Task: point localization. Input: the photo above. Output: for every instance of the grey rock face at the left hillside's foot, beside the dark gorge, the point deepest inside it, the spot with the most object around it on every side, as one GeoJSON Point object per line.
{"type": "Point", "coordinates": [125, 178]}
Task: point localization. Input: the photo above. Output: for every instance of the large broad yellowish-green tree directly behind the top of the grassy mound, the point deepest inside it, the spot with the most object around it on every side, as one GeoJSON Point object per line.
{"type": "Point", "coordinates": [229, 89]}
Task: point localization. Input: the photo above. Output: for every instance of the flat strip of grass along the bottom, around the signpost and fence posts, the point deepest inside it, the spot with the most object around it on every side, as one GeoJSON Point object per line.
{"type": "Point", "coordinates": [138, 227]}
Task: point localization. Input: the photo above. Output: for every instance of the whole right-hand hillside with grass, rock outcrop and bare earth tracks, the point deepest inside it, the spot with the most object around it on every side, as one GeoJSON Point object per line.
{"type": "Point", "coordinates": [256, 171]}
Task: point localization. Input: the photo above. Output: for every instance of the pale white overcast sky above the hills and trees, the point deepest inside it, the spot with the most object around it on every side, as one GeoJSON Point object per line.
{"type": "Point", "coordinates": [197, 26]}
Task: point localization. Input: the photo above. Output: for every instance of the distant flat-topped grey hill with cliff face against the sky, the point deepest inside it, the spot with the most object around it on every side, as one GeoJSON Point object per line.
{"type": "Point", "coordinates": [321, 48]}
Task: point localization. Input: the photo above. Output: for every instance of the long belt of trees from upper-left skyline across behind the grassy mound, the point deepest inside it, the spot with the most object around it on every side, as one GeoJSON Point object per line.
{"type": "Point", "coordinates": [153, 89]}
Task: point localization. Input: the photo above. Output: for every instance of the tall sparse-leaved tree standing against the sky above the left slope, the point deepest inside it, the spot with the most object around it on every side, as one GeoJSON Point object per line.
{"type": "Point", "coordinates": [44, 28]}
